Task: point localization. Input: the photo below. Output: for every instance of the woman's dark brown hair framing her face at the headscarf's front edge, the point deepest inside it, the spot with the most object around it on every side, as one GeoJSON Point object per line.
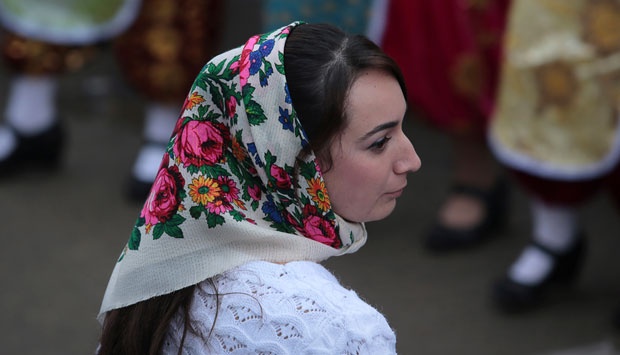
{"type": "Point", "coordinates": [321, 64]}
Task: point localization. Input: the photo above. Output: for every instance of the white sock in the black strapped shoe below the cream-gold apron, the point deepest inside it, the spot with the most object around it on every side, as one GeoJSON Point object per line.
{"type": "Point", "coordinates": [555, 228]}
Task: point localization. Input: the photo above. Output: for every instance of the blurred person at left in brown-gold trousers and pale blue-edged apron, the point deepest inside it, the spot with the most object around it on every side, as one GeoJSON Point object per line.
{"type": "Point", "coordinates": [160, 45]}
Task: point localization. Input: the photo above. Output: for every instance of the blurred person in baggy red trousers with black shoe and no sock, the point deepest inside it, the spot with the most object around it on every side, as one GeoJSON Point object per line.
{"type": "Point", "coordinates": [450, 54]}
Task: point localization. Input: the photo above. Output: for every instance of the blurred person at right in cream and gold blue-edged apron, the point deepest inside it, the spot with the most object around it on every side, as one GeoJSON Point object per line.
{"type": "Point", "coordinates": [557, 127]}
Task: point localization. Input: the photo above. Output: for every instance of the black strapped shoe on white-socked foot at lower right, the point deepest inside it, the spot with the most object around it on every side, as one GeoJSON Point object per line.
{"type": "Point", "coordinates": [511, 296]}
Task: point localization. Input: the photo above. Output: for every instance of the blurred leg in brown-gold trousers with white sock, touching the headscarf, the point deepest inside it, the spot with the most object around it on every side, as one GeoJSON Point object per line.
{"type": "Point", "coordinates": [160, 56]}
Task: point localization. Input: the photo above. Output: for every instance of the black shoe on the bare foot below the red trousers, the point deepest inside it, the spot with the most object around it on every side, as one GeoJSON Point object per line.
{"type": "Point", "coordinates": [495, 203]}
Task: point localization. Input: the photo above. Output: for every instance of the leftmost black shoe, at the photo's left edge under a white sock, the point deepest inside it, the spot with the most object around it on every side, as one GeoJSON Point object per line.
{"type": "Point", "coordinates": [40, 151]}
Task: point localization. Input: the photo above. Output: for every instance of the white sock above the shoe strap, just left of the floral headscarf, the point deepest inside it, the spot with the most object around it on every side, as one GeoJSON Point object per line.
{"type": "Point", "coordinates": [160, 121]}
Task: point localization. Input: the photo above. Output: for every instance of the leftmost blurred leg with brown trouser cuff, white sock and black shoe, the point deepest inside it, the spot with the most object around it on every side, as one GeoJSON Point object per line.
{"type": "Point", "coordinates": [31, 131]}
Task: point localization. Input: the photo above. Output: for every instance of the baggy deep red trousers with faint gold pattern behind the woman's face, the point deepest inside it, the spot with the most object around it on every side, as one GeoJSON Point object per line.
{"type": "Point", "coordinates": [431, 40]}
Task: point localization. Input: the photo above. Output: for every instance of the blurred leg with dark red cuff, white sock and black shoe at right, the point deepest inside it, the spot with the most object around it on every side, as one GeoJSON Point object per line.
{"type": "Point", "coordinates": [557, 248]}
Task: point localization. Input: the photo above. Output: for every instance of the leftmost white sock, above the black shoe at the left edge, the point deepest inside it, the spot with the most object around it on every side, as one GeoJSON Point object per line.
{"type": "Point", "coordinates": [31, 104]}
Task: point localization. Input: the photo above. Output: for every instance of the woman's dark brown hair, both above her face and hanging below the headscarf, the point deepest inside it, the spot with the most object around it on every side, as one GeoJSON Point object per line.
{"type": "Point", "coordinates": [321, 63]}
